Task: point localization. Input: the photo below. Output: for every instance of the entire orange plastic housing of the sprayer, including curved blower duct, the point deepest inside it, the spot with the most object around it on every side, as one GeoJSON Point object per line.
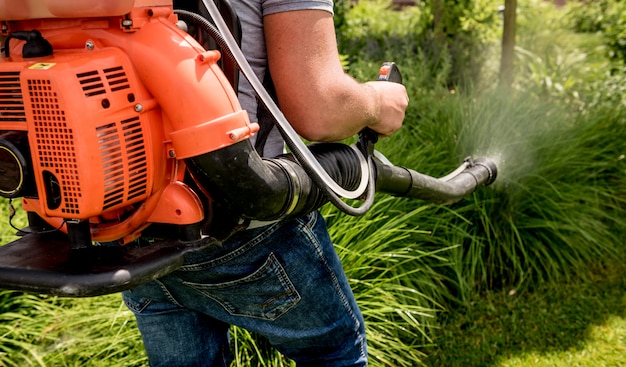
{"type": "Point", "coordinates": [112, 112]}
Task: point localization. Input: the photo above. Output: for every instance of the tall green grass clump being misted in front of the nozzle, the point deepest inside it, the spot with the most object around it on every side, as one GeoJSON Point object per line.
{"type": "Point", "coordinates": [556, 204]}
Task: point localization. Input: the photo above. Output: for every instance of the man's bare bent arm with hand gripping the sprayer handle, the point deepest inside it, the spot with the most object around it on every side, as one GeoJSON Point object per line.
{"type": "Point", "coordinates": [318, 98]}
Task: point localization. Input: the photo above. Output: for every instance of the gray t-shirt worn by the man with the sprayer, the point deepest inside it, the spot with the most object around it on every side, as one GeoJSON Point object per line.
{"type": "Point", "coordinates": [251, 14]}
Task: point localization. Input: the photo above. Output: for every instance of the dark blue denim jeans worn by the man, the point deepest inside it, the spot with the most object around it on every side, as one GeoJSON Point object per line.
{"type": "Point", "coordinates": [283, 281]}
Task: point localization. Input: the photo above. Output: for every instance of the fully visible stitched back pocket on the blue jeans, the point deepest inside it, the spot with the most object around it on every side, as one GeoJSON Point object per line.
{"type": "Point", "coordinates": [267, 293]}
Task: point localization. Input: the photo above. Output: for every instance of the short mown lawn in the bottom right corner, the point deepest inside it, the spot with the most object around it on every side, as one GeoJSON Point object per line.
{"type": "Point", "coordinates": [577, 323]}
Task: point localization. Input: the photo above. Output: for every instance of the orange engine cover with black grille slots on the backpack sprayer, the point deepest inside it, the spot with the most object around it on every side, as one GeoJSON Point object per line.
{"type": "Point", "coordinates": [93, 145]}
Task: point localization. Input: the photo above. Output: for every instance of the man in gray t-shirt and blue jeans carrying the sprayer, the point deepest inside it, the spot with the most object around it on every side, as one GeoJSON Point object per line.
{"type": "Point", "coordinates": [282, 280]}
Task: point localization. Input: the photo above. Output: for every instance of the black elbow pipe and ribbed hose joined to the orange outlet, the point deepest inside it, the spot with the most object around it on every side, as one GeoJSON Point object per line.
{"type": "Point", "coordinates": [272, 188]}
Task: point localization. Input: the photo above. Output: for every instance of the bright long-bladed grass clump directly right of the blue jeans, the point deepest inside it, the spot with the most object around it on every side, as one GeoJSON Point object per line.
{"type": "Point", "coordinates": [394, 280]}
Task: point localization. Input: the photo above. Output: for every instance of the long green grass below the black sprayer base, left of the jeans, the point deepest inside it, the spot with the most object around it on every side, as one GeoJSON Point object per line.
{"type": "Point", "coordinates": [50, 331]}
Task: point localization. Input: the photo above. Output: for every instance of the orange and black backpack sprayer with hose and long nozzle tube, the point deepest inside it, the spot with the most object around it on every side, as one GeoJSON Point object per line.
{"type": "Point", "coordinates": [116, 126]}
